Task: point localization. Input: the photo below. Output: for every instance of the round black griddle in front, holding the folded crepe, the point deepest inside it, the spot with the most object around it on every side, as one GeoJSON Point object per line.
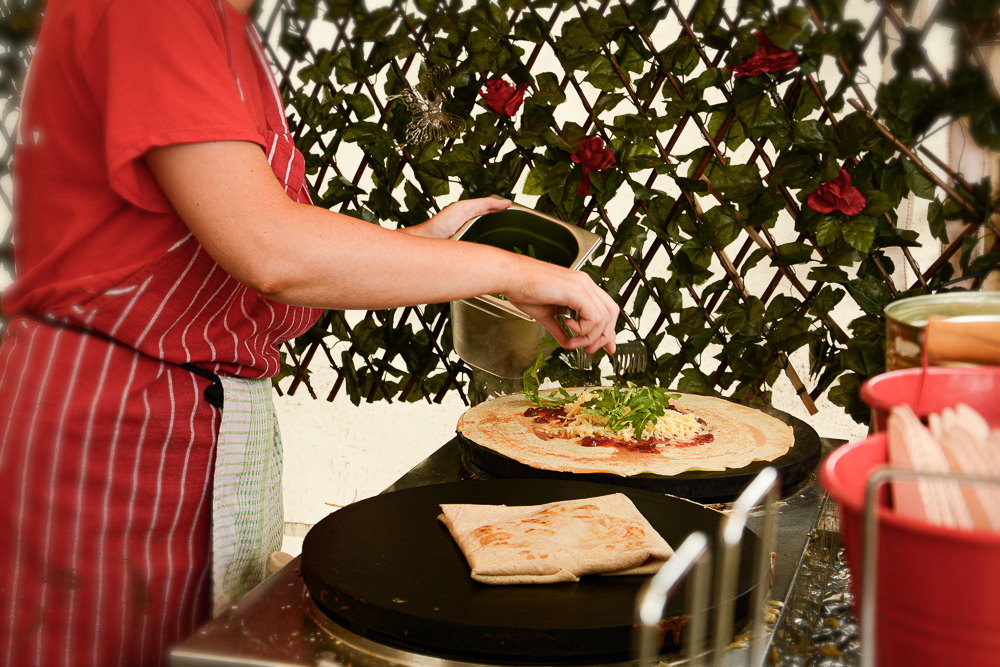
{"type": "Point", "coordinates": [386, 568]}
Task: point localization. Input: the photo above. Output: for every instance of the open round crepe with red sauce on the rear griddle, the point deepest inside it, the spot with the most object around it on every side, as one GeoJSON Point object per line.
{"type": "Point", "coordinates": [733, 436]}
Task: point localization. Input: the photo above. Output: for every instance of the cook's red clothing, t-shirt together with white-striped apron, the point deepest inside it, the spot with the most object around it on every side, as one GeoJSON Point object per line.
{"type": "Point", "coordinates": [107, 449]}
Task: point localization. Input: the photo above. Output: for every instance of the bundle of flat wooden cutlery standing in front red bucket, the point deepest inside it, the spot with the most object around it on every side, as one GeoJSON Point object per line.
{"type": "Point", "coordinates": [956, 441]}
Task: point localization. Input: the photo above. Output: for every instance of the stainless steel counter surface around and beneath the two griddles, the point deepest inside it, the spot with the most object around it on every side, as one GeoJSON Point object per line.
{"type": "Point", "coordinates": [276, 624]}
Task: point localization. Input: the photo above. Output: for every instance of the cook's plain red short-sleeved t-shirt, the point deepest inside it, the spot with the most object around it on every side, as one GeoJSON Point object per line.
{"type": "Point", "coordinates": [112, 85]}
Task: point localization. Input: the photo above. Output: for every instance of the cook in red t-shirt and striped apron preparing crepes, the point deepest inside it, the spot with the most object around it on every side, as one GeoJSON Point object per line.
{"type": "Point", "coordinates": [165, 248]}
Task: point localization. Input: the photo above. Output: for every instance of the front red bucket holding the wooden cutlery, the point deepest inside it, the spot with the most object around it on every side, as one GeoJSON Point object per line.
{"type": "Point", "coordinates": [938, 599]}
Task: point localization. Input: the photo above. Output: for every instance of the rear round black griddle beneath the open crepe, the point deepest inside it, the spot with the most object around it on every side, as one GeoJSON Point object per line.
{"type": "Point", "coordinates": [703, 486]}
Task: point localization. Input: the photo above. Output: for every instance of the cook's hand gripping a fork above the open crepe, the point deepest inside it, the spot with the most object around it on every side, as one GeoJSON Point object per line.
{"type": "Point", "coordinates": [545, 291]}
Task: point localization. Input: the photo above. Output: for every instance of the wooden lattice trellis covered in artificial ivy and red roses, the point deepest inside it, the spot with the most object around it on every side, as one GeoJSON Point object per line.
{"type": "Point", "coordinates": [766, 142]}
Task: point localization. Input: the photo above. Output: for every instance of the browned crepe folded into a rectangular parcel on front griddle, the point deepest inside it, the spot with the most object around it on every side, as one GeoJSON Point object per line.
{"type": "Point", "coordinates": [560, 541]}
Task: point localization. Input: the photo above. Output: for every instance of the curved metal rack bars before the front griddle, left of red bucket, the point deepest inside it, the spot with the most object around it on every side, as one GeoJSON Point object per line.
{"type": "Point", "coordinates": [694, 556]}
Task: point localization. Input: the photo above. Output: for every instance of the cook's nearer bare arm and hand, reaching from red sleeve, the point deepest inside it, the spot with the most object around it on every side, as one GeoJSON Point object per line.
{"type": "Point", "coordinates": [229, 198]}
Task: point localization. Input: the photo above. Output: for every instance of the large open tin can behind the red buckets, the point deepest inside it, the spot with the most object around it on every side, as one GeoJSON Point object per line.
{"type": "Point", "coordinates": [905, 321]}
